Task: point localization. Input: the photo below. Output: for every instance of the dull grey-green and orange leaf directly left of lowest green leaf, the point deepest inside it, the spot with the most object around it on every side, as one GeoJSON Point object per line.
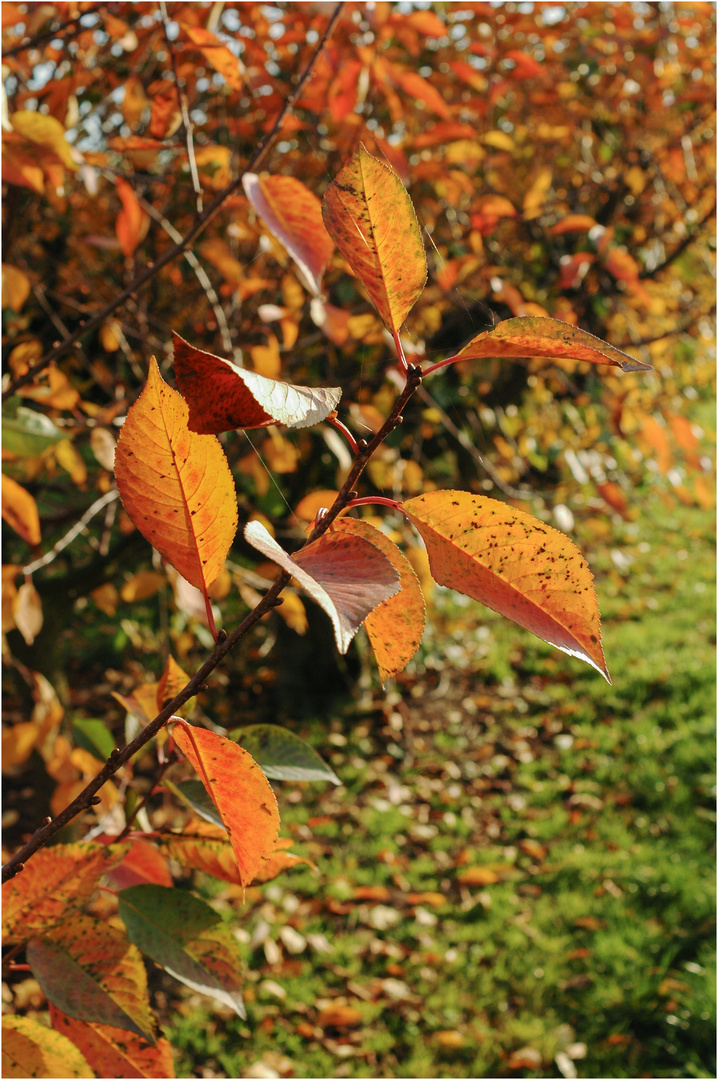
{"type": "Point", "coordinates": [90, 971]}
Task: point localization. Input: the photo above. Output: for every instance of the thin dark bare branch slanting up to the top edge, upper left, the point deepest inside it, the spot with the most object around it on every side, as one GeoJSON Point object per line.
{"type": "Point", "coordinates": [200, 222]}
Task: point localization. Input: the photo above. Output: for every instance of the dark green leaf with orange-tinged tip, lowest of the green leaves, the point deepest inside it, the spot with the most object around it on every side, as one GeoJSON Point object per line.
{"type": "Point", "coordinates": [187, 938]}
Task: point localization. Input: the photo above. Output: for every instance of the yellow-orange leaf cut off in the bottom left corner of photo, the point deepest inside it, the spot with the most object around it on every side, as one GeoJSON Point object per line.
{"type": "Point", "coordinates": [30, 1049]}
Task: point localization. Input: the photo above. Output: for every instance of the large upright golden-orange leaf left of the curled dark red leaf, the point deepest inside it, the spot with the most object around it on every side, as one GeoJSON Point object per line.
{"type": "Point", "coordinates": [177, 485]}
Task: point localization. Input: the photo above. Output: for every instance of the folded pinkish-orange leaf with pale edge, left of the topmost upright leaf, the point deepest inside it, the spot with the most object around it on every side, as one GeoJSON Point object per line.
{"type": "Point", "coordinates": [294, 215]}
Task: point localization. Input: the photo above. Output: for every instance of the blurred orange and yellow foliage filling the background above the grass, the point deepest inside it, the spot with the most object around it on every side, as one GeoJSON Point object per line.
{"type": "Point", "coordinates": [562, 161]}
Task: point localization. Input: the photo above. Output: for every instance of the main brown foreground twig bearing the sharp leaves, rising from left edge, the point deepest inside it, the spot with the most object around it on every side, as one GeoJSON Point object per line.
{"type": "Point", "coordinates": [225, 645]}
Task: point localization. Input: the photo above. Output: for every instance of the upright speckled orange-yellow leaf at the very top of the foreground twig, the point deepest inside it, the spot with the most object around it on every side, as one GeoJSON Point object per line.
{"type": "Point", "coordinates": [370, 217]}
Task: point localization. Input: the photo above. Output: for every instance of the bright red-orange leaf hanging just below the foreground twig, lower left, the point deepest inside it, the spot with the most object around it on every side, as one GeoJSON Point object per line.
{"type": "Point", "coordinates": [241, 792]}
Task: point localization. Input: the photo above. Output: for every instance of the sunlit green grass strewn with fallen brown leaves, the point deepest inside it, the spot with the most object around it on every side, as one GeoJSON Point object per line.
{"type": "Point", "coordinates": [594, 804]}
